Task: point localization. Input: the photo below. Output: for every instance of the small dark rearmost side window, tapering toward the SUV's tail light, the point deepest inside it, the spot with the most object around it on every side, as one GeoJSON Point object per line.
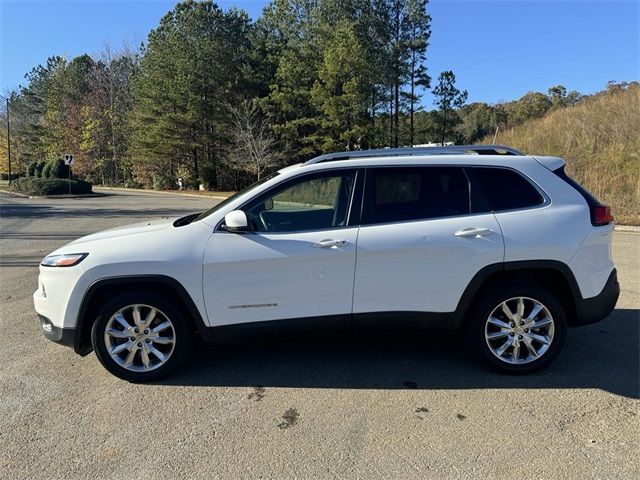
{"type": "Point", "coordinates": [506, 189]}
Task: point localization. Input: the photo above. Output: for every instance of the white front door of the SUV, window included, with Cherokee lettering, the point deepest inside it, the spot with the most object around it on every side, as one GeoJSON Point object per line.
{"type": "Point", "coordinates": [298, 261]}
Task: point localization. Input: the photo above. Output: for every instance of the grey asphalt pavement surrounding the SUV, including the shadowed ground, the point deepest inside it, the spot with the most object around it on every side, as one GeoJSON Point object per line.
{"type": "Point", "coordinates": [324, 408]}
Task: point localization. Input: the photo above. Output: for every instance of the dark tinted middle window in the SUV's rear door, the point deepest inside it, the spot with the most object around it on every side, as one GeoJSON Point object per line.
{"type": "Point", "coordinates": [402, 194]}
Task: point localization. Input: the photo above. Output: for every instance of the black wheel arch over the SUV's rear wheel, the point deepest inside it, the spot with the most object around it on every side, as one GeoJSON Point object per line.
{"type": "Point", "coordinates": [552, 275]}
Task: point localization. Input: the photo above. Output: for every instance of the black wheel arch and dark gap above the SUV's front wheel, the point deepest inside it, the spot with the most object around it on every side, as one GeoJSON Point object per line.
{"type": "Point", "coordinates": [101, 289]}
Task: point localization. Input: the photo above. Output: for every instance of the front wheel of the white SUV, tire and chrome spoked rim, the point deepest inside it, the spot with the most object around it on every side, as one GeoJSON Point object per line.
{"type": "Point", "coordinates": [141, 347]}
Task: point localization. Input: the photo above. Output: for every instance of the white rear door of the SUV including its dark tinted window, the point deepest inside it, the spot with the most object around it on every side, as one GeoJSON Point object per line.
{"type": "Point", "coordinates": [420, 244]}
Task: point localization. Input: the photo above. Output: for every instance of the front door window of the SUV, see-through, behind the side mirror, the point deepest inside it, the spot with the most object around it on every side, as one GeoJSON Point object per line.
{"type": "Point", "coordinates": [315, 202]}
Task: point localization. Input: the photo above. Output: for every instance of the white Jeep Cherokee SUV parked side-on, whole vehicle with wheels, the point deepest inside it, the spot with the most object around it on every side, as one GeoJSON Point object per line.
{"type": "Point", "coordinates": [482, 239]}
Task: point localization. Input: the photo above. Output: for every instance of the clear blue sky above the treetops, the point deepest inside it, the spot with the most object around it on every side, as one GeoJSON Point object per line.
{"type": "Point", "coordinates": [498, 49]}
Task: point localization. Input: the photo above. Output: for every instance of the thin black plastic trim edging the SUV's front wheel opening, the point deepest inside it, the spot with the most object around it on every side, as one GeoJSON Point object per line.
{"type": "Point", "coordinates": [176, 286]}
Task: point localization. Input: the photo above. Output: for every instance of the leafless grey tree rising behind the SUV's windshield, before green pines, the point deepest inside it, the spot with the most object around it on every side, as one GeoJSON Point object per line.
{"type": "Point", "coordinates": [253, 145]}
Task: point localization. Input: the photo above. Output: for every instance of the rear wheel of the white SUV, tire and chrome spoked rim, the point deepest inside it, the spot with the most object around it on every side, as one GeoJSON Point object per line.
{"type": "Point", "coordinates": [493, 333]}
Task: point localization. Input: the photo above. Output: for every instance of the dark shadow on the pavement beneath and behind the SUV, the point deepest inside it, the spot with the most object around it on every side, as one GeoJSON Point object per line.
{"type": "Point", "coordinates": [603, 356]}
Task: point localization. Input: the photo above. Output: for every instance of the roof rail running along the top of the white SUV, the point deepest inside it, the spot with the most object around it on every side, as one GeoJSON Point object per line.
{"type": "Point", "coordinates": [408, 151]}
